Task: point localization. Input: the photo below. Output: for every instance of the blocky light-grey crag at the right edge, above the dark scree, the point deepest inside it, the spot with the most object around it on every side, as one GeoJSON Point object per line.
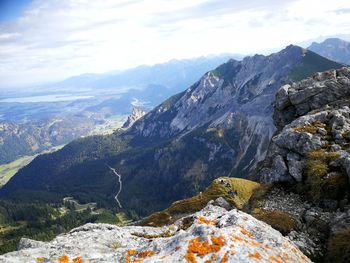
{"type": "Point", "coordinates": [312, 114]}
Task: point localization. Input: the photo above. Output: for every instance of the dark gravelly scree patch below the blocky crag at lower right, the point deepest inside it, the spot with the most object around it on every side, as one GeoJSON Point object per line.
{"type": "Point", "coordinates": [313, 222]}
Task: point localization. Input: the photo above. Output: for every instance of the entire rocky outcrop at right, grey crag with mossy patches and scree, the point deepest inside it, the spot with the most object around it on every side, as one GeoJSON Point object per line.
{"type": "Point", "coordinates": [309, 159]}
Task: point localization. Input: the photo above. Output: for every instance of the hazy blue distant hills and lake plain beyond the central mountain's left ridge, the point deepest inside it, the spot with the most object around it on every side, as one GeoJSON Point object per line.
{"type": "Point", "coordinates": [27, 118]}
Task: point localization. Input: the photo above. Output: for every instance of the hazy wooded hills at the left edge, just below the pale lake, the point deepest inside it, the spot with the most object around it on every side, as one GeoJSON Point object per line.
{"type": "Point", "coordinates": [19, 139]}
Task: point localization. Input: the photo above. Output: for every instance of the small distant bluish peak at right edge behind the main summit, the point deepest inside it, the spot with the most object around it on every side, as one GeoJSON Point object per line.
{"type": "Point", "coordinates": [333, 48]}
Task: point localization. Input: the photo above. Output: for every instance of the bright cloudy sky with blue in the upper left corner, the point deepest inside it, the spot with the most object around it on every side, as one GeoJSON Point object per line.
{"type": "Point", "coordinates": [49, 40]}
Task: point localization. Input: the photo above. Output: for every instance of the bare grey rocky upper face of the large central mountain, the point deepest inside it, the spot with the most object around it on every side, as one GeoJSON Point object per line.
{"type": "Point", "coordinates": [236, 96]}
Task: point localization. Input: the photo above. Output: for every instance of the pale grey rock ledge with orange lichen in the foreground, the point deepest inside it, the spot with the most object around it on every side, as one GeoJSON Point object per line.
{"type": "Point", "coordinates": [211, 235]}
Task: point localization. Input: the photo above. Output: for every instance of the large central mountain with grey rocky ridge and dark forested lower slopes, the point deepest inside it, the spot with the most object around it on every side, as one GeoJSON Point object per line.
{"type": "Point", "coordinates": [220, 126]}
